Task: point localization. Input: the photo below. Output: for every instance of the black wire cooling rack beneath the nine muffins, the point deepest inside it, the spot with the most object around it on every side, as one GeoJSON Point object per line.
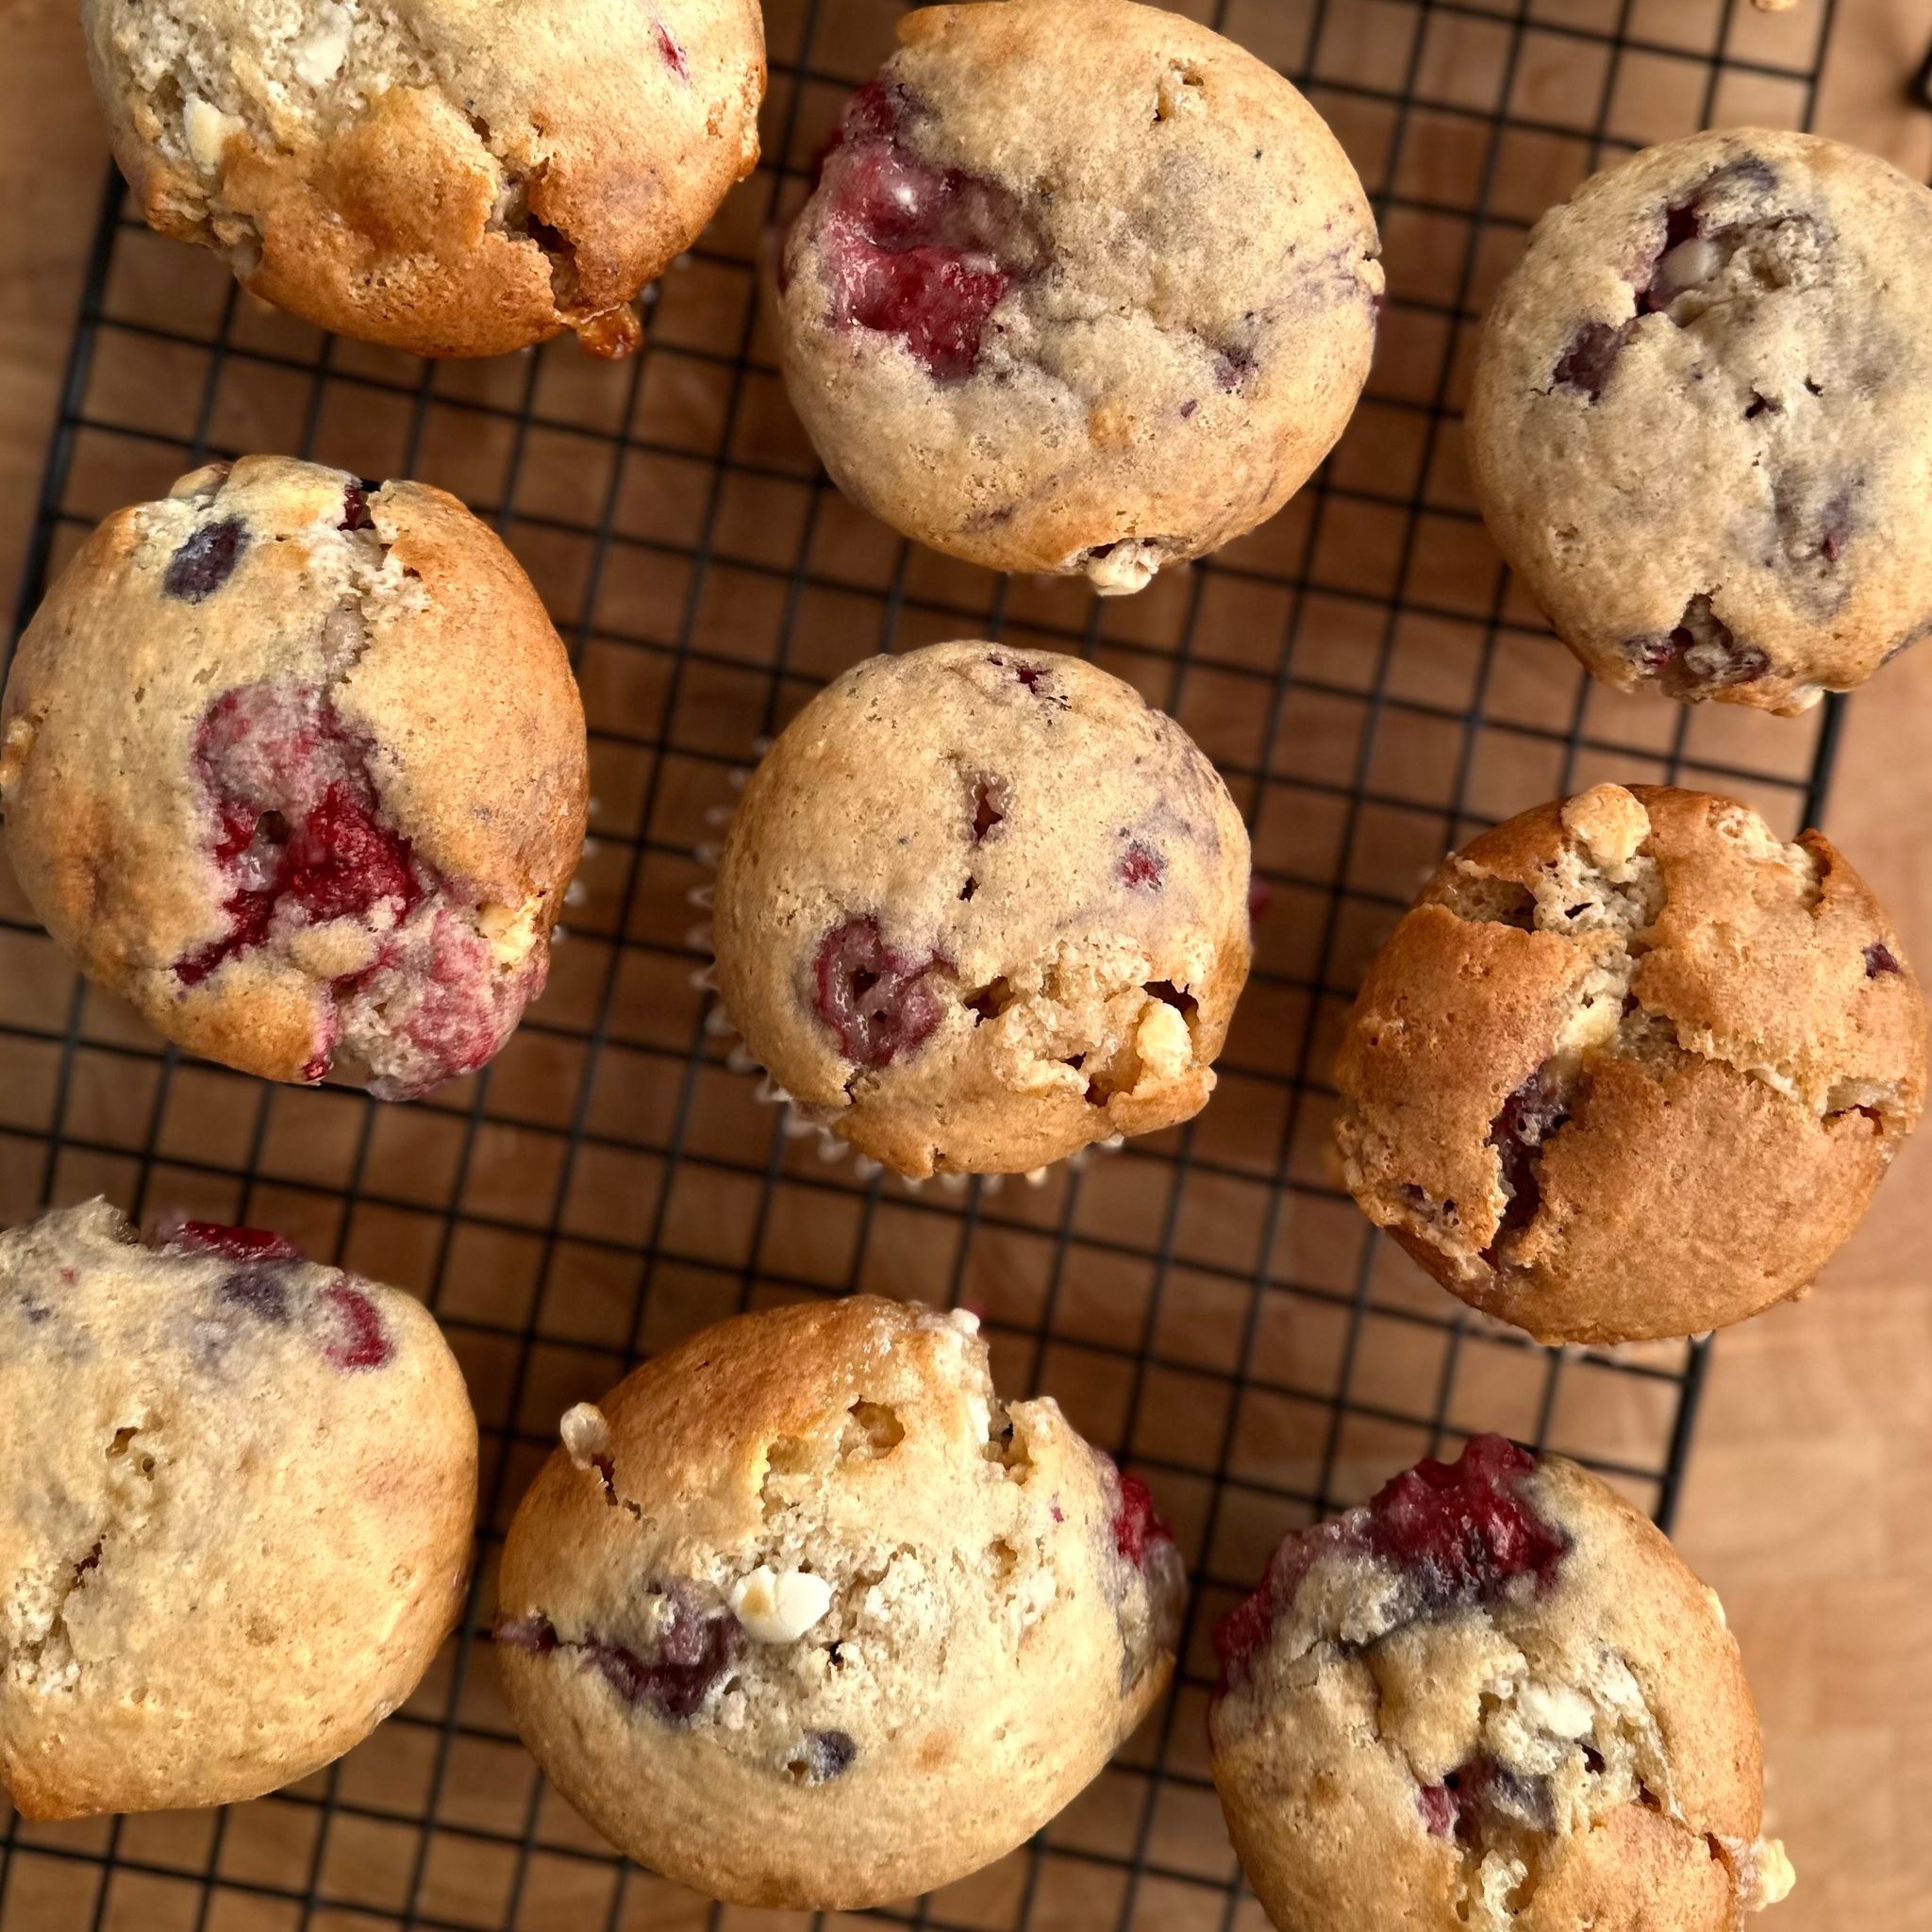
{"type": "Point", "coordinates": [1208, 1301]}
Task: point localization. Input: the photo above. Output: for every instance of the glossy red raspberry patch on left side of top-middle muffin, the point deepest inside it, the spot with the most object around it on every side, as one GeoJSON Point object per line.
{"type": "Point", "coordinates": [913, 250]}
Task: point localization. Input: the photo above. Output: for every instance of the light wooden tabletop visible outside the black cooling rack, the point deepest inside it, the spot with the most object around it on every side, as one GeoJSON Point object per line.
{"type": "Point", "coordinates": [1811, 1491]}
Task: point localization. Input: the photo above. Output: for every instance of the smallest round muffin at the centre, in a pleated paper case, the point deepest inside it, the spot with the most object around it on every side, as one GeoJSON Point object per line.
{"type": "Point", "coordinates": [984, 907]}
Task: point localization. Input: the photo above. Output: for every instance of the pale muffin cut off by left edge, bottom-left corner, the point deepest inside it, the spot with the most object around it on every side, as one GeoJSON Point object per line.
{"type": "Point", "coordinates": [235, 1514]}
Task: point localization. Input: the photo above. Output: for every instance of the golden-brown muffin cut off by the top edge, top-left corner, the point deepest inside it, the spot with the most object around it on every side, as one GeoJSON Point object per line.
{"type": "Point", "coordinates": [443, 177]}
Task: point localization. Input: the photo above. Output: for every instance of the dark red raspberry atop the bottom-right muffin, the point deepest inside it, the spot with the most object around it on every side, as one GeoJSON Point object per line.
{"type": "Point", "coordinates": [1465, 1531]}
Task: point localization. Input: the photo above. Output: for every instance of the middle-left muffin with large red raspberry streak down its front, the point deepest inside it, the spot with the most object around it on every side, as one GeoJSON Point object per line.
{"type": "Point", "coordinates": [298, 768]}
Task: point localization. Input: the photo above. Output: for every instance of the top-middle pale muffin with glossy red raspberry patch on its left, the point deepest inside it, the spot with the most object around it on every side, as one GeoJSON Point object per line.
{"type": "Point", "coordinates": [1083, 289]}
